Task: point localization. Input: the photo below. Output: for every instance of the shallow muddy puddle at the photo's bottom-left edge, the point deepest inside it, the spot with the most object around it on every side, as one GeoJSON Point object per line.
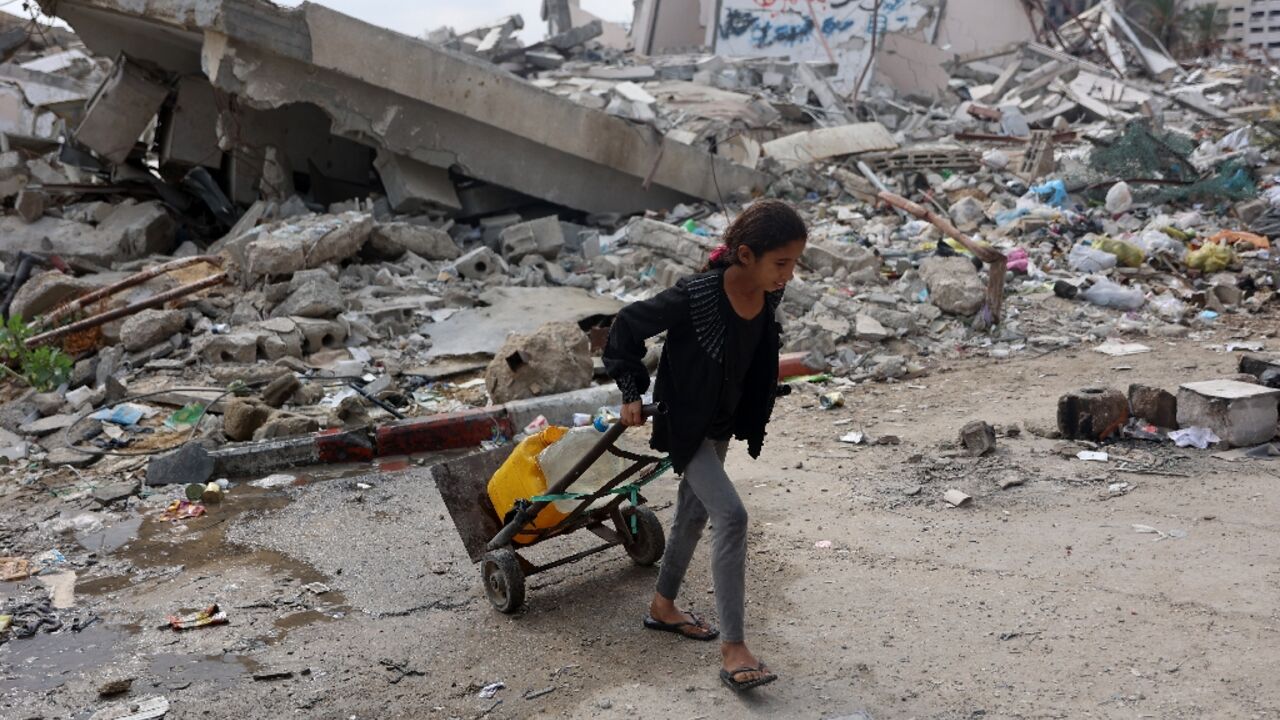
{"type": "Point", "coordinates": [47, 662]}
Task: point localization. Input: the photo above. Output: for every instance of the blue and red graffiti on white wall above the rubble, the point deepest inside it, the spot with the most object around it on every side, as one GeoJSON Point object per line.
{"type": "Point", "coordinates": [804, 30]}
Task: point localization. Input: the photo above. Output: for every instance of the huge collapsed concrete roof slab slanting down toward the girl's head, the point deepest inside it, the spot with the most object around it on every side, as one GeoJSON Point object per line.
{"type": "Point", "coordinates": [413, 99]}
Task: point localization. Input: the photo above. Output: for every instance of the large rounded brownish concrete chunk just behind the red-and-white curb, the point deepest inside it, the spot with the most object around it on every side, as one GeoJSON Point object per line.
{"type": "Point", "coordinates": [556, 358]}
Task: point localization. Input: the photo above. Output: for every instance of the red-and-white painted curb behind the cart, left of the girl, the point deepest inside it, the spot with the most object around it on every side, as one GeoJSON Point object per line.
{"type": "Point", "coordinates": [452, 431]}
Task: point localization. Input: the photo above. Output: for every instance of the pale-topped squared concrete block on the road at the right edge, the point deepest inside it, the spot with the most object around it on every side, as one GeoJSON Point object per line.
{"type": "Point", "coordinates": [1242, 414]}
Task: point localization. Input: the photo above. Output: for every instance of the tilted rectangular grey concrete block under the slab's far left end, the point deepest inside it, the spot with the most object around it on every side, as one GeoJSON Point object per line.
{"type": "Point", "coordinates": [121, 111]}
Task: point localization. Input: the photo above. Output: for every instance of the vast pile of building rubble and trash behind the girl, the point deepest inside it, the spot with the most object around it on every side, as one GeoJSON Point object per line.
{"type": "Point", "coordinates": [181, 271]}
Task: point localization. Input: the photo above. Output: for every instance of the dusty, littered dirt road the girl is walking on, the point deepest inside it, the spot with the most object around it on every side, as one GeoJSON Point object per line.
{"type": "Point", "coordinates": [1035, 601]}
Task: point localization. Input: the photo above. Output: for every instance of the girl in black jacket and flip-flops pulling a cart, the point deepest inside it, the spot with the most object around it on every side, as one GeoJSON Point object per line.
{"type": "Point", "coordinates": [719, 379]}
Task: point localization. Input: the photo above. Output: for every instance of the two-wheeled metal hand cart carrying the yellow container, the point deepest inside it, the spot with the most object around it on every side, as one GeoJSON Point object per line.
{"type": "Point", "coordinates": [492, 541]}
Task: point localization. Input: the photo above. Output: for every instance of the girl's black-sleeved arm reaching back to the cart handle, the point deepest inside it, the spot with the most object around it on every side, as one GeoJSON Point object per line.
{"type": "Point", "coordinates": [625, 352]}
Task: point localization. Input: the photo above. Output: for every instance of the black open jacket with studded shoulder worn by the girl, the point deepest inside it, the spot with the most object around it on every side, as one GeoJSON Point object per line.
{"type": "Point", "coordinates": [692, 371]}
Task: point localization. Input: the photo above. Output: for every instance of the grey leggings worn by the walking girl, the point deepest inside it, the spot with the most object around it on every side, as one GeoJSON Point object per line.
{"type": "Point", "coordinates": [707, 493]}
